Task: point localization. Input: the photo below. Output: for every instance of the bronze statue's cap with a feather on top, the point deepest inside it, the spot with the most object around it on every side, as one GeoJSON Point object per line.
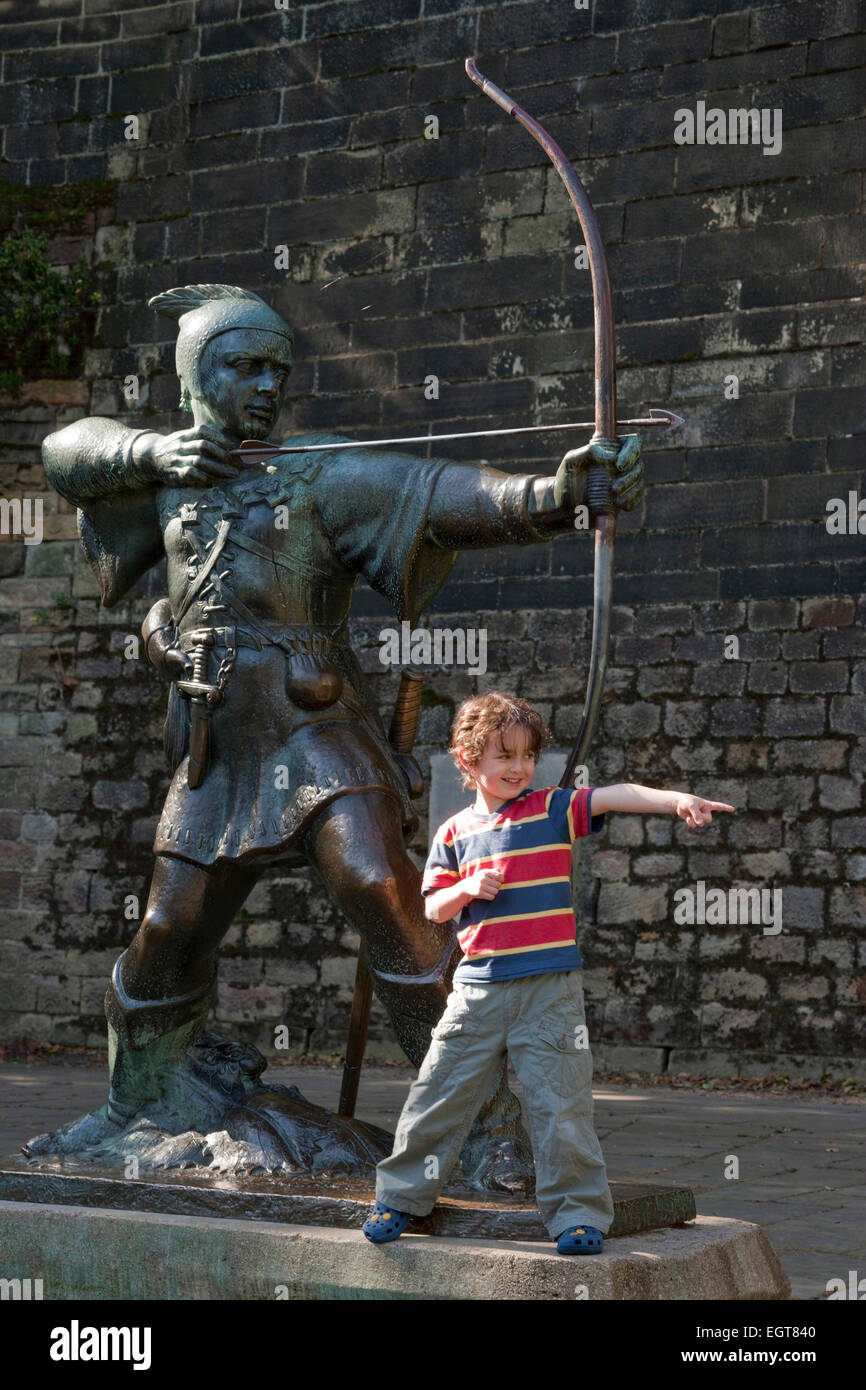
{"type": "Point", "coordinates": [204, 312]}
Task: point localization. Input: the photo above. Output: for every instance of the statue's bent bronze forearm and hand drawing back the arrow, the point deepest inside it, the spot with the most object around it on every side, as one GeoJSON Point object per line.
{"type": "Point", "coordinates": [97, 458]}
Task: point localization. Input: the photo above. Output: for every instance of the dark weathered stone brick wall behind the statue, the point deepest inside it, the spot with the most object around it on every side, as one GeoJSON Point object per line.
{"type": "Point", "coordinates": [455, 258]}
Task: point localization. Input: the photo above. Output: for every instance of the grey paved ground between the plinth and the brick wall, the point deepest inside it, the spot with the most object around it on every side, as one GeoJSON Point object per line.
{"type": "Point", "coordinates": [803, 1163]}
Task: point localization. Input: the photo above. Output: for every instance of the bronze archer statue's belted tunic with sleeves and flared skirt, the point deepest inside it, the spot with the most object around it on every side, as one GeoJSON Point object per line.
{"type": "Point", "coordinates": [327, 518]}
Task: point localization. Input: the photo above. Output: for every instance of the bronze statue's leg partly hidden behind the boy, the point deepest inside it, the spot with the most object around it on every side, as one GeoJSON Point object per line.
{"type": "Point", "coordinates": [357, 844]}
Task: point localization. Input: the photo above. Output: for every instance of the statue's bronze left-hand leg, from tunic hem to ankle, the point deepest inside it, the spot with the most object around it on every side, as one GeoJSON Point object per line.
{"type": "Point", "coordinates": [163, 986]}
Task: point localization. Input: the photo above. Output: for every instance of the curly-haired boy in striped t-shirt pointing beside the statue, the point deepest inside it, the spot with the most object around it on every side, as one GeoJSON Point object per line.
{"type": "Point", "coordinates": [505, 867]}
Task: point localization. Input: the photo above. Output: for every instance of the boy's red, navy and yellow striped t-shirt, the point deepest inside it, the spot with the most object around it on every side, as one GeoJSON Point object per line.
{"type": "Point", "coordinates": [529, 928]}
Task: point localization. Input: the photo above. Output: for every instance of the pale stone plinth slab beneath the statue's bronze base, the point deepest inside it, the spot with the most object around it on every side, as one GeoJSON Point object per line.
{"type": "Point", "coordinates": [97, 1254]}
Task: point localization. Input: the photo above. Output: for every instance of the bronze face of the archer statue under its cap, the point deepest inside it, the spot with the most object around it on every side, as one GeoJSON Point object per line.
{"type": "Point", "coordinates": [244, 376]}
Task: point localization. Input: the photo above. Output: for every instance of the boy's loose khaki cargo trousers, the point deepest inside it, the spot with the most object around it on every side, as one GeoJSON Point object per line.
{"type": "Point", "coordinates": [540, 1022]}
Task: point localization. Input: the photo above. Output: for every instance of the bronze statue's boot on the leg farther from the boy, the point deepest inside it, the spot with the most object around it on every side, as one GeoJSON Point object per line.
{"type": "Point", "coordinates": [148, 1040]}
